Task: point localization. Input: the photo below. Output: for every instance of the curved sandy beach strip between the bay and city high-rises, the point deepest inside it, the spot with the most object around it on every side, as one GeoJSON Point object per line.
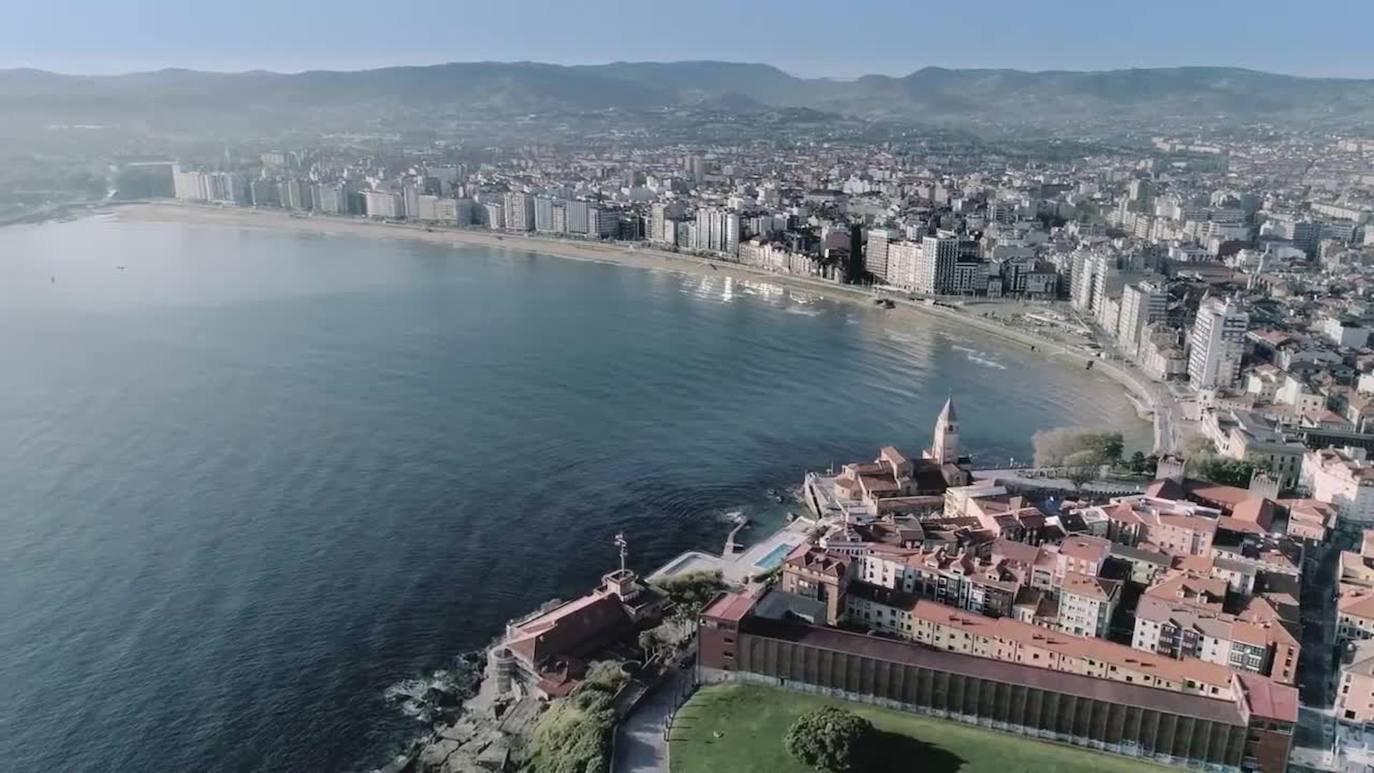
{"type": "Point", "coordinates": [616, 253]}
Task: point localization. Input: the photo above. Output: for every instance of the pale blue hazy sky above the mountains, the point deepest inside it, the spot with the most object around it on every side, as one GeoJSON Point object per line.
{"type": "Point", "coordinates": [837, 38]}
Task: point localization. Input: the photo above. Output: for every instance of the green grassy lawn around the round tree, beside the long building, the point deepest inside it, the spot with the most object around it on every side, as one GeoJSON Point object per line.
{"type": "Point", "coordinates": [754, 720]}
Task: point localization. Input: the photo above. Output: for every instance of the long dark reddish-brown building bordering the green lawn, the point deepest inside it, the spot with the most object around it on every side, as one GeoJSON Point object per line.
{"type": "Point", "coordinates": [1248, 730]}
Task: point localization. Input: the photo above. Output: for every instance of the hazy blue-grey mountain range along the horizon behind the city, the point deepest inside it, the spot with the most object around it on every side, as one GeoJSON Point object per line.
{"type": "Point", "coordinates": [931, 95]}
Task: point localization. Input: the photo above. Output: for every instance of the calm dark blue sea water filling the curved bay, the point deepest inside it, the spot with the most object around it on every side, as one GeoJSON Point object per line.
{"type": "Point", "coordinates": [254, 480]}
